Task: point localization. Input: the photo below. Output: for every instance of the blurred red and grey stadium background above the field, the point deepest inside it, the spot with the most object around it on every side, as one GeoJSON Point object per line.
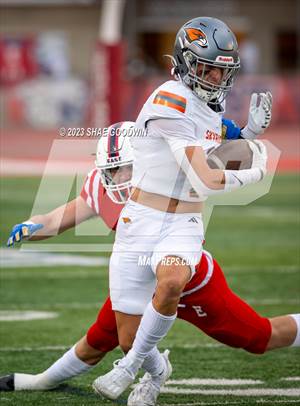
{"type": "Point", "coordinates": [86, 63]}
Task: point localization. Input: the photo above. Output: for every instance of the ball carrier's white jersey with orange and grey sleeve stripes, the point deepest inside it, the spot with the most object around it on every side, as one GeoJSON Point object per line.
{"type": "Point", "coordinates": [174, 118]}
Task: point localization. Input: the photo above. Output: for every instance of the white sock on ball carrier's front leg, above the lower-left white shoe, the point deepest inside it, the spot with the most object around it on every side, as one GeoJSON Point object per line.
{"type": "Point", "coordinates": [153, 327]}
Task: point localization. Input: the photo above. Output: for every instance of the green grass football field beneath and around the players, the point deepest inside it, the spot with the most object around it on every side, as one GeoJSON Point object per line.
{"type": "Point", "coordinates": [258, 247]}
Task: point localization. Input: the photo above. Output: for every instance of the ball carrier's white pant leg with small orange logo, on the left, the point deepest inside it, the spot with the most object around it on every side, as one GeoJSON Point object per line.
{"type": "Point", "coordinates": [132, 282]}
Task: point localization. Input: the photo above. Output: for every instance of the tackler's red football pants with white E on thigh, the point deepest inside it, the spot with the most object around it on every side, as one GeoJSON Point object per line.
{"type": "Point", "coordinates": [214, 309]}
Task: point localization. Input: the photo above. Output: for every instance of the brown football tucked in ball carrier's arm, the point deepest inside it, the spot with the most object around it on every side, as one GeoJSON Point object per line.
{"type": "Point", "coordinates": [231, 154]}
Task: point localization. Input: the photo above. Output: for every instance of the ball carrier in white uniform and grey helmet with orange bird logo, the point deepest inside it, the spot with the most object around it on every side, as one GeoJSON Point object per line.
{"type": "Point", "coordinates": [171, 179]}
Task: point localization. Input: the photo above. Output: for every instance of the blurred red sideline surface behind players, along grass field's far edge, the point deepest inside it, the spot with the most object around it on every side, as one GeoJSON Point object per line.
{"type": "Point", "coordinates": [25, 152]}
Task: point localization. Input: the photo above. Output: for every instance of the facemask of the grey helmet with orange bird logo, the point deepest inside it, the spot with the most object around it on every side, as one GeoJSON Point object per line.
{"type": "Point", "coordinates": [213, 93]}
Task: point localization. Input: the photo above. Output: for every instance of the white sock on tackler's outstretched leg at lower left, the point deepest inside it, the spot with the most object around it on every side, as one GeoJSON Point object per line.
{"type": "Point", "coordinates": [66, 367]}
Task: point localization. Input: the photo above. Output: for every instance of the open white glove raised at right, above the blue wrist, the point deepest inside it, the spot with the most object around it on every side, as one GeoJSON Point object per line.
{"type": "Point", "coordinates": [259, 117]}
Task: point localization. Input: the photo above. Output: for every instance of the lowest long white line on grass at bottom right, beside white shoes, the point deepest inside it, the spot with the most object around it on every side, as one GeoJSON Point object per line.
{"type": "Point", "coordinates": [234, 392]}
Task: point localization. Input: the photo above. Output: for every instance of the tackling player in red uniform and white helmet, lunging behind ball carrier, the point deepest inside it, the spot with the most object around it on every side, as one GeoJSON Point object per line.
{"type": "Point", "coordinates": [206, 302]}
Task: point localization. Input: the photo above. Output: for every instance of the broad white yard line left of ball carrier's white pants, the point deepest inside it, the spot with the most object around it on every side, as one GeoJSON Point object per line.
{"type": "Point", "coordinates": [18, 259]}
